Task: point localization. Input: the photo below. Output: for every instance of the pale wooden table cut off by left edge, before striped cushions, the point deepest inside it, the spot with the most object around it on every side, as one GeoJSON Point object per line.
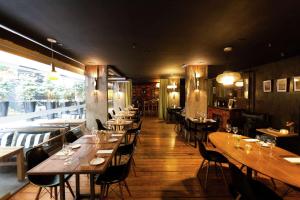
{"type": "Point", "coordinates": [7, 152]}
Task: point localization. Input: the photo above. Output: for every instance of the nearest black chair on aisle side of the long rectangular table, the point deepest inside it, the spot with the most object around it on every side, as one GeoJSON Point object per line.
{"type": "Point", "coordinates": [114, 174]}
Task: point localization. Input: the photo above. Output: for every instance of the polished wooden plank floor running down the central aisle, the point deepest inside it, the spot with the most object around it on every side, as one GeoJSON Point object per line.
{"type": "Point", "coordinates": [166, 169]}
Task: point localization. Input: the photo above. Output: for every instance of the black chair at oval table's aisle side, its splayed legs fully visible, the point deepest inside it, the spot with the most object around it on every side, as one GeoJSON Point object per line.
{"type": "Point", "coordinates": [210, 156]}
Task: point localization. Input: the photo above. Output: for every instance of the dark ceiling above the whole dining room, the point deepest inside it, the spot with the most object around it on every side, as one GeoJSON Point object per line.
{"type": "Point", "coordinates": [151, 39]}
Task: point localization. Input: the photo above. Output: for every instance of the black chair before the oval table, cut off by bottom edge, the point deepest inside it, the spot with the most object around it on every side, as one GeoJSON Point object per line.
{"type": "Point", "coordinates": [249, 189]}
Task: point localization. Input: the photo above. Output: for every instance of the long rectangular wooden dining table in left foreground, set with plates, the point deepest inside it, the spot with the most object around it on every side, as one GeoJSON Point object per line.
{"type": "Point", "coordinates": [79, 164]}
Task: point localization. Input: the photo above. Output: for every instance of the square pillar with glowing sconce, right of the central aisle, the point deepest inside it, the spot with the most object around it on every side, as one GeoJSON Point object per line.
{"type": "Point", "coordinates": [196, 97]}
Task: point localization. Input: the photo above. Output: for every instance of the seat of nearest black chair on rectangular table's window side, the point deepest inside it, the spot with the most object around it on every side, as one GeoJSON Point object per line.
{"type": "Point", "coordinates": [47, 181]}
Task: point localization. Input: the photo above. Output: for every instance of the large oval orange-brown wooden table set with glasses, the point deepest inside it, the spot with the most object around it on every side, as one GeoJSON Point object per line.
{"type": "Point", "coordinates": [270, 165]}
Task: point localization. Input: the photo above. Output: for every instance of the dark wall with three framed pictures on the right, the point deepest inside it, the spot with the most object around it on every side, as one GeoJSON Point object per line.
{"type": "Point", "coordinates": [281, 106]}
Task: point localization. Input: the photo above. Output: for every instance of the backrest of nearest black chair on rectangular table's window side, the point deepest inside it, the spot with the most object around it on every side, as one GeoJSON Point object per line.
{"type": "Point", "coordinates": [35, 156]}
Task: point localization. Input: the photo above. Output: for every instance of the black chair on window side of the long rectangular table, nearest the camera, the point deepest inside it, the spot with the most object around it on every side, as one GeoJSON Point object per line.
{"type": "Point", "coordinates": [34, 157]}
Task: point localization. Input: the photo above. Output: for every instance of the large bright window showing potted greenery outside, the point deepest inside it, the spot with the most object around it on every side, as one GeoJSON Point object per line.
{"type": "Point", "coordinates": [25, 89]}
